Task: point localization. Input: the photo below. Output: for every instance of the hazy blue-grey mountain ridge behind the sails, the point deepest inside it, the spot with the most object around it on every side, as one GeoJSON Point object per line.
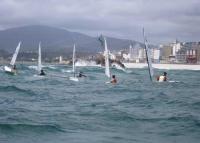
{"type": "Point", "coordinates": [55, 40]}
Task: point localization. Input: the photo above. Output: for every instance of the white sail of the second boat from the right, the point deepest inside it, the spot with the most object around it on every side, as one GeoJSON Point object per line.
{"type": "Point", "coordinates": [106, 53]}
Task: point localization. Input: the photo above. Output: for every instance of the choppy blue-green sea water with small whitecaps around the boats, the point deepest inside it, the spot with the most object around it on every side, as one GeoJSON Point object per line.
{"type": "Point", "coordinates": [56, 110]}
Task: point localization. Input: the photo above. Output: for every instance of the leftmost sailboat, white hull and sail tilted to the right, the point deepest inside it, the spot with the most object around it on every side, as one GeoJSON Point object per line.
{"type": "Point", "coordinates": [12, 69]}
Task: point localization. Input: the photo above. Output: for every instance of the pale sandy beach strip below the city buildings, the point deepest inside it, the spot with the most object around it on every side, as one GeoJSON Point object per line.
{"type": "Point", "coordinates": [163, 66]}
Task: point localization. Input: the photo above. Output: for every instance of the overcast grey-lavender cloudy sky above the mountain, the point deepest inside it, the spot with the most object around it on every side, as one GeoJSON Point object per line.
{"type": "Point", "coordinates": [163, 20]}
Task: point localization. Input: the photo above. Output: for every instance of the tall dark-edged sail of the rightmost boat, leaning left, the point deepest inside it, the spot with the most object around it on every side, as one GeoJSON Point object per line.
{"type": "Point", "coordinates": [148, 57]}
